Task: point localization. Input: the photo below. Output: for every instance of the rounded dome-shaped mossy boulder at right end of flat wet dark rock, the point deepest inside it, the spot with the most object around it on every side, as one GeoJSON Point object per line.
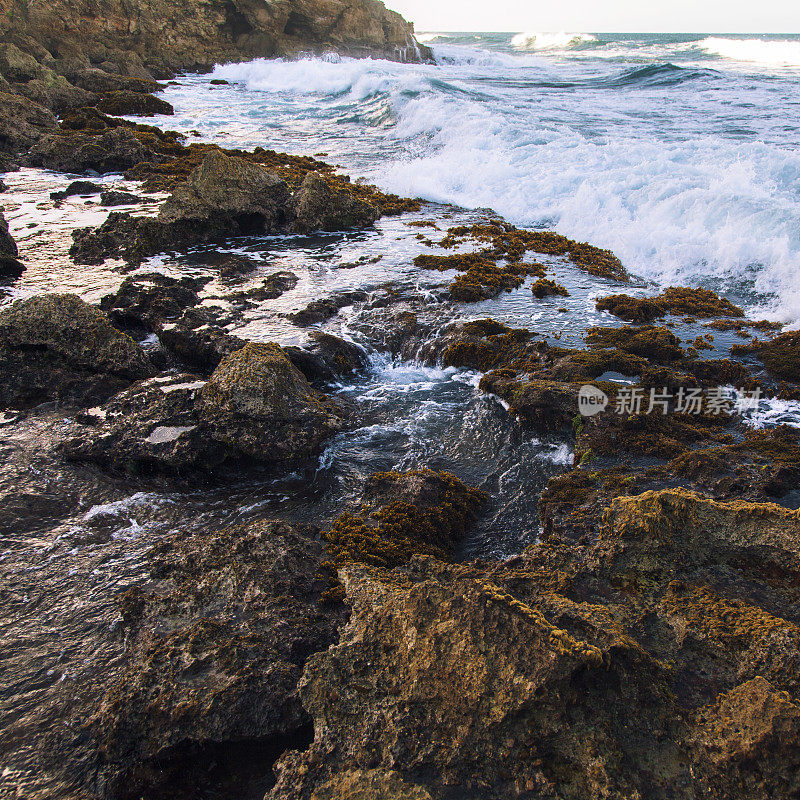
{"type": "Point", "coordinates": [257, 402]}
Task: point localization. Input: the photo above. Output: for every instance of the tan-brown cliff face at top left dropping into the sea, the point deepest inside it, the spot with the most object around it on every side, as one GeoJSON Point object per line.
{"type": "Point", "coordinates": [171, 35]}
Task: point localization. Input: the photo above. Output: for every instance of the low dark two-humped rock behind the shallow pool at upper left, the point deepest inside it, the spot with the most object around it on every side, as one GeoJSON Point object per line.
{"type": "Point", "coordinates": [115, 150]}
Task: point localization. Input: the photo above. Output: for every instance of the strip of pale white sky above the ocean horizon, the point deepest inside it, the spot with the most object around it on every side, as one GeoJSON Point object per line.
{"type": "Point", "coordinates": [593, 16]}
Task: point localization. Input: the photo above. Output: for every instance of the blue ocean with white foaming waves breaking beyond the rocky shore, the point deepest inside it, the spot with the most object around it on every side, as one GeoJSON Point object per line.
{"type": "Point", "coordinates": [677, 152]}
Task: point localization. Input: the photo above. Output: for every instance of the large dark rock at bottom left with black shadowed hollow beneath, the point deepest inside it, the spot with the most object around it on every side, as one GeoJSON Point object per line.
{"type": "Point", "coordinates": [216, 645]}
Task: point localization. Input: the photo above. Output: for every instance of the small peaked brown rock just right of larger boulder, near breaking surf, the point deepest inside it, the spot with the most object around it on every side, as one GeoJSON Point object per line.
{"type": "Point", "coordinates": [322, 206]}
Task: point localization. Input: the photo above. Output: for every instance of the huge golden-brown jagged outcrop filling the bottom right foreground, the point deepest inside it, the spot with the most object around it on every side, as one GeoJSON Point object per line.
{"type": "Point", "coordinates": [518, 679]}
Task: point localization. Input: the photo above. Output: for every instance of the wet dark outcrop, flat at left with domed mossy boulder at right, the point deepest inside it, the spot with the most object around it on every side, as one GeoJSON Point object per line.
{"type": "Point", "coordinates": [256, 407]}
